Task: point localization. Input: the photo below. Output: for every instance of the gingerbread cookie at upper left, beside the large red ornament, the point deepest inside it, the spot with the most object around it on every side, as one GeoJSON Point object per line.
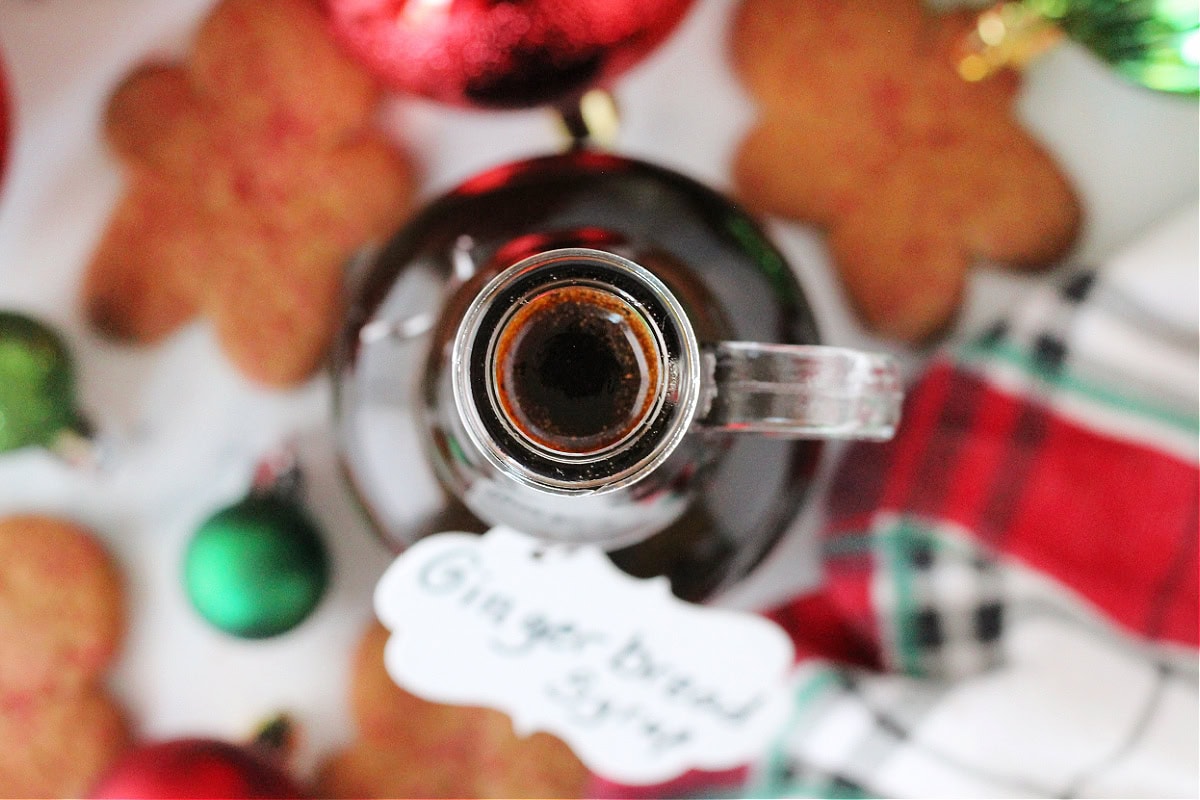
{"type": "Point", "coordinates": [254, 173]}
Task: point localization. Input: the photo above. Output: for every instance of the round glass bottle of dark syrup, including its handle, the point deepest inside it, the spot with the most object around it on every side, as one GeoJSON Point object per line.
{"type": "Point", "coordinates": [669, 300]}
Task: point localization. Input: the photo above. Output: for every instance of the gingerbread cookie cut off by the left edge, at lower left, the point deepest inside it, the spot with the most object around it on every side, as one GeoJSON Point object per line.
{"type": "Point", "coordinates": [62, 619]}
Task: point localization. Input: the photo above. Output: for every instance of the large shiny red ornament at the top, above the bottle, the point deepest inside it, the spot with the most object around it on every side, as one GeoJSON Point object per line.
{"type": "Point", "coordinates": [502, 53]}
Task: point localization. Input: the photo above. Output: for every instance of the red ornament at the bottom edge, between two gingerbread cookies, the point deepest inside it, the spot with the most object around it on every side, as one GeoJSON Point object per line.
{"type": "Point", "coordinates": [195, 768]}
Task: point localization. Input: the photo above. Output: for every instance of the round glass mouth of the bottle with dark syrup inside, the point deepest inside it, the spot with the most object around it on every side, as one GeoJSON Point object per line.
{"type": "Point", "coordinates": [577, 371]}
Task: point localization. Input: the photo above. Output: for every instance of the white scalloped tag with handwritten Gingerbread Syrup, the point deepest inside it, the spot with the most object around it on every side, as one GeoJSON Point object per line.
{"type": "Point", "coordinates": [640, 684]}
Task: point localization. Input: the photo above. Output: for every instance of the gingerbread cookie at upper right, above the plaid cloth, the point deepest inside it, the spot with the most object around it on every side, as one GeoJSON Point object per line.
{"type": "Point", "coordinates": [868, 131]}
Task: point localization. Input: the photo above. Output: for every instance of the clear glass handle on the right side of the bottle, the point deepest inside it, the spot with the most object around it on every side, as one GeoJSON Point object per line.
{"type": "Point", "coordinates": [800, 392]}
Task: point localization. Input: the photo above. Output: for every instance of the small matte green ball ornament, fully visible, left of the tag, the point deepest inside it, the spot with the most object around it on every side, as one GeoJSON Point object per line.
{"type": "Point", "coordinates": [259, 569]}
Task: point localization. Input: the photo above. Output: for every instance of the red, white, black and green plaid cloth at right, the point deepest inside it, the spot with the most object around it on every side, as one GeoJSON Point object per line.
{"type": "Point", "coordinates": [1007, 676]}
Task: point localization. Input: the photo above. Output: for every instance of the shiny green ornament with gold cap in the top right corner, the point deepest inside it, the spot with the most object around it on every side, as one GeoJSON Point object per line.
{"type": "Point", "coordinates": [1151, 43]}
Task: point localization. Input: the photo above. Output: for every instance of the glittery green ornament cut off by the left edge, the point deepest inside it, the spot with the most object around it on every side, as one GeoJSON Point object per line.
{"type": "Point", "coordinates": [37, 386]}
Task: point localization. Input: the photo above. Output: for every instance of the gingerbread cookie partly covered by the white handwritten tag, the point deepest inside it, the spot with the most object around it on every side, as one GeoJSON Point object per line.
{"type": "Point", "coordinates": [412, 748]}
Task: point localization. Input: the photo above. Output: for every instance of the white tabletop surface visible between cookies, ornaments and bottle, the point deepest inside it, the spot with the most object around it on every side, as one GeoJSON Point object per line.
{"type": "Point", "coordinates": [193, 430]}
